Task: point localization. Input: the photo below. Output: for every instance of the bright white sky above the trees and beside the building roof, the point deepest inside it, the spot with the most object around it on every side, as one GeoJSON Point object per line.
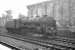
{"type": "Point", "coordinates": [17, 6]}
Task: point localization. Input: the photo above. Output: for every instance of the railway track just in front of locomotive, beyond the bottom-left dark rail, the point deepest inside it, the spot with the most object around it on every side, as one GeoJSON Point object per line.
{"type": "Point", "coordinates": [54, 42]}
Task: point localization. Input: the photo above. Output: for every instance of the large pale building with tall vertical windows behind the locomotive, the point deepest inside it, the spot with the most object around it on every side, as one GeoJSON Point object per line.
{"type": "Point", "coordinates": [61, 10]}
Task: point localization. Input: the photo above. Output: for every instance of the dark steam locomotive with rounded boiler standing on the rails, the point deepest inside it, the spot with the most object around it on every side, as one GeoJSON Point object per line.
{"type": "Point", "coordinates": [44, 25]}
